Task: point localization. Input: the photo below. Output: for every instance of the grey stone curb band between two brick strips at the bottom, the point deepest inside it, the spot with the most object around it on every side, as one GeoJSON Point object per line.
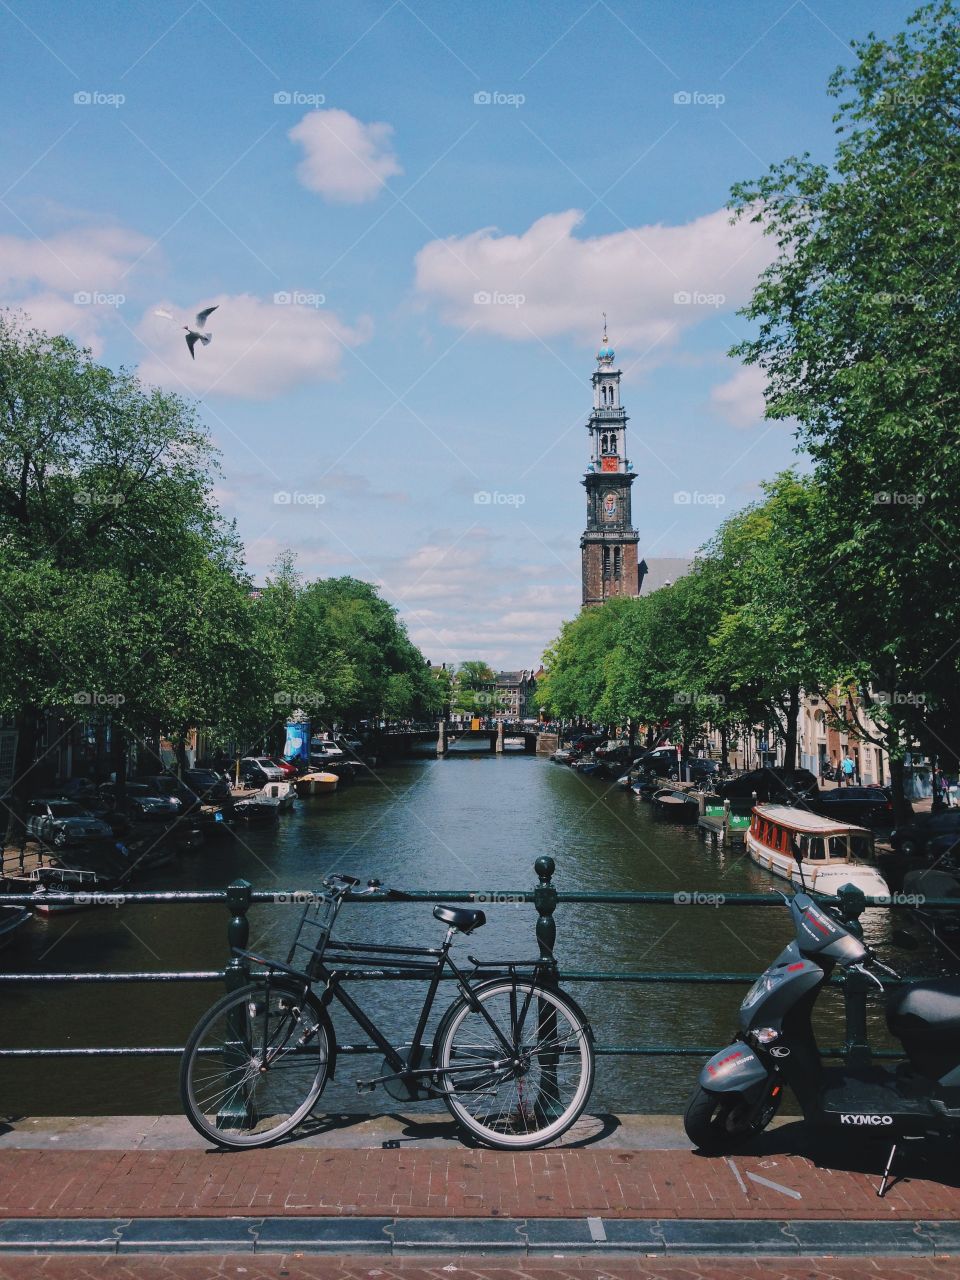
{"type": "Point", "coordinates": [499, 1237]}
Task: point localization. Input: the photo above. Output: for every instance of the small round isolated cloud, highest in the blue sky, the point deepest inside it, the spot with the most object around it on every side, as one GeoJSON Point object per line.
{"type": "Point", "coordinates": [345, 161]}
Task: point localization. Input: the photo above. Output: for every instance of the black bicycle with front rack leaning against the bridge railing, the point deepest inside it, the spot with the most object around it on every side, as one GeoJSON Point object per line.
{"type": "Point", "coordinates": [513, 1058]}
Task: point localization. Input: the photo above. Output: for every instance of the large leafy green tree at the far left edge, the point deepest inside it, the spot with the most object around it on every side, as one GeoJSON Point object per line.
{"type": "Point", "coordinates": [103, 487]}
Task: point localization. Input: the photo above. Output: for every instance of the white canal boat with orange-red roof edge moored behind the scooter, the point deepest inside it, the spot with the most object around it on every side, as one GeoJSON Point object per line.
{"type": "Point", "coordinates": [834, 853]}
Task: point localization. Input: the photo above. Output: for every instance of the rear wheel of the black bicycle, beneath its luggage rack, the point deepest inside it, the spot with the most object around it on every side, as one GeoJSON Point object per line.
{"type": "Point", "coordinates": [536, 1092]}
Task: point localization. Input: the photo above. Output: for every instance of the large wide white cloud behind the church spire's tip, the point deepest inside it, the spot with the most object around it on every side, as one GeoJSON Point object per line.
{"type": "Point", "coordinates": [550, 282]}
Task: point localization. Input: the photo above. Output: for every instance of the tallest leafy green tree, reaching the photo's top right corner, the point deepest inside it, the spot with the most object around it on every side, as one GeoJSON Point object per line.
{"type": "Point", "coordinates": [858, 337]}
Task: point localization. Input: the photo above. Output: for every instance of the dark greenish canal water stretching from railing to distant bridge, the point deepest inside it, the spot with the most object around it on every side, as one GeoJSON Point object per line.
{"type": "Point", "coordinates": [465, 822]}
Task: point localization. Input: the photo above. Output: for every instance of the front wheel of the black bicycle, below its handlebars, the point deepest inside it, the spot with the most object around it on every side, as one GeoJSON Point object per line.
{"type": "Point", "coordinates": [255, 1066]}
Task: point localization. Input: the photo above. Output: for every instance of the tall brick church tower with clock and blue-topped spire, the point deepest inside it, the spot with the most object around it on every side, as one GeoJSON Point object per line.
{"type": "Point", "coordinates": [609, 545]}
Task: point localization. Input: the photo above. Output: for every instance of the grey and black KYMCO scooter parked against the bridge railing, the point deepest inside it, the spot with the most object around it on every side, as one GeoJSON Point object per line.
{"type": "Point", "coordinates": [742, 1087]}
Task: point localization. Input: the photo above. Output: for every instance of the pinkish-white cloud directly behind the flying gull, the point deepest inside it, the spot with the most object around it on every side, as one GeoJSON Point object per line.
{"type": "Point", "coordinates": [259, 350]}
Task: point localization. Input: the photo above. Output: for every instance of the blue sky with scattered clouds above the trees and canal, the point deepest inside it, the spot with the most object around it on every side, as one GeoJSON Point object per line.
{"type": "Point", "coordinates": [412, 216]}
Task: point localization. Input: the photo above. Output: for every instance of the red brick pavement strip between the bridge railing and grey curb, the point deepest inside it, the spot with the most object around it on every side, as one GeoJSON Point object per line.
{"type": "Point", "coordinates": [461, 1183]}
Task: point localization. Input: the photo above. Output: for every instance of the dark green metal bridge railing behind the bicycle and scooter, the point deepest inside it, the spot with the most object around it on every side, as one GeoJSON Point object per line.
{"type": "Point", "coordinates": [240, 897]}
